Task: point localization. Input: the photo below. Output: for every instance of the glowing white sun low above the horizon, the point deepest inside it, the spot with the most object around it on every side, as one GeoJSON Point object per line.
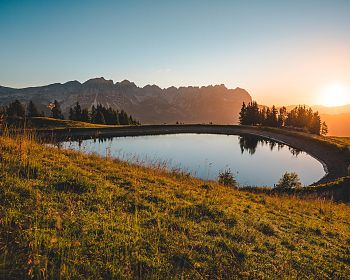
{"type": "Point", "coordinates": [335, 95]}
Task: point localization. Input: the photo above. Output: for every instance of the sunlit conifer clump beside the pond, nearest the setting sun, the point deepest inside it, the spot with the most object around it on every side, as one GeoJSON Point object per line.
{"type": "Point", "coordinates": [301, 118]}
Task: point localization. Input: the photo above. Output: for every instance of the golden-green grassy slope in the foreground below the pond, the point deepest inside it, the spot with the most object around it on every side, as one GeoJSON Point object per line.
{"type": "Point", "coordinates": [77, 216]}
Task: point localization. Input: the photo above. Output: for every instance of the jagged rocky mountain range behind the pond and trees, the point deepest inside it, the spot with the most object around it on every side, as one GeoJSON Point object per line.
{"type": "Point", "coordinates": [149, 104]}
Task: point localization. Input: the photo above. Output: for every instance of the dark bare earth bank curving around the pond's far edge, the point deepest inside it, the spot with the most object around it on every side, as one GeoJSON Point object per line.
{"type": "Point", "coordinates": [334, 161]}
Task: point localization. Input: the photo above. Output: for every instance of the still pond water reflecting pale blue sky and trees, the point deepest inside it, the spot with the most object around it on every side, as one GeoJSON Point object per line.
{"type": "Point", "coordinates": [253, 160]}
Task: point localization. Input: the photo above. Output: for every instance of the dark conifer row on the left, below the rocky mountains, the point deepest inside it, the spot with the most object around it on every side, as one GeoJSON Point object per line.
{"type": "Point", "coordinates": [16, 113]}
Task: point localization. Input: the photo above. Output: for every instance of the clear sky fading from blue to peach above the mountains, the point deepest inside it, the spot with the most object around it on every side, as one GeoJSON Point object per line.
{"type": "Point", "coordinates": [281, 52]}
